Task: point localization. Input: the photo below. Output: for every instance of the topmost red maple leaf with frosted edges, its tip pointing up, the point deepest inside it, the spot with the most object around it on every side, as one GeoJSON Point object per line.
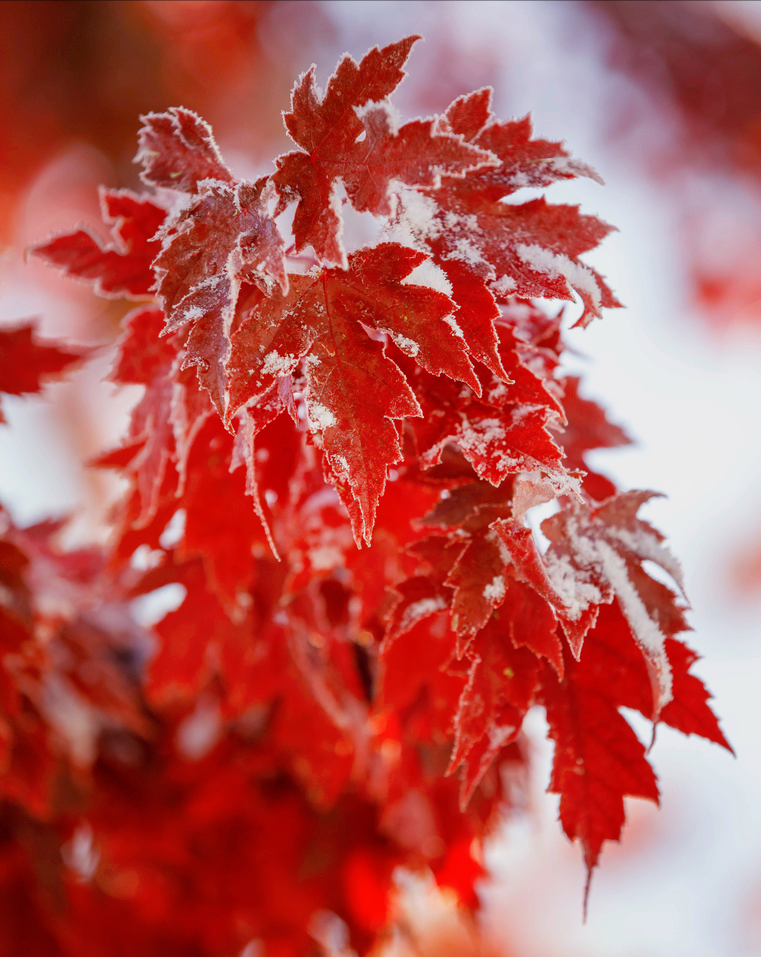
{"type": "Point", "coordinates": [347, 137]}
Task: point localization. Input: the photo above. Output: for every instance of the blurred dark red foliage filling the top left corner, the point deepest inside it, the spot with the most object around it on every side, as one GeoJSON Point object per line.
{"type": "Point", "coordinates": [81, 72]}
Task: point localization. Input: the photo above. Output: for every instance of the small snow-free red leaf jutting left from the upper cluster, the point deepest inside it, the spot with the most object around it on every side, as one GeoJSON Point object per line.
{"type": "Point", "coordinates": [121, 267]}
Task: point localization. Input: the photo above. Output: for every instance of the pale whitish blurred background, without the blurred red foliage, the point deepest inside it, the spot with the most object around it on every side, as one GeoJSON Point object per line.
{"type": "Point", "coordinates": [686, 881]}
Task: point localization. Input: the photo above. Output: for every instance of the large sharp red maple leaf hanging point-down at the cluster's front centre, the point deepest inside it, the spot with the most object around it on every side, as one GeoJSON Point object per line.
{"type": "Point", "coordinates": [353, 389]}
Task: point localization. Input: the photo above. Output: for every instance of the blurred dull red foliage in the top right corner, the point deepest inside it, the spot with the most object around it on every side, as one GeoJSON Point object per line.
{"type": "Point", "coordinates": [699, 65]}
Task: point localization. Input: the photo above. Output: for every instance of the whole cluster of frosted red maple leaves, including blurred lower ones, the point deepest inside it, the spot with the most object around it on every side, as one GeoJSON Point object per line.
{"type": "Point", "coordinates": [332, 460]}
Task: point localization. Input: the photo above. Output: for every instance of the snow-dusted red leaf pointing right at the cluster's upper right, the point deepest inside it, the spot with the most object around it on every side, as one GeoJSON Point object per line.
{"type": "Point", "coordinates": [528, 249]}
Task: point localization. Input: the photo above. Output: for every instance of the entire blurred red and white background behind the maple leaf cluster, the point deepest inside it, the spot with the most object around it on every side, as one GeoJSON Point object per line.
{"type": "Point", "coordinates": [663, 98]}
